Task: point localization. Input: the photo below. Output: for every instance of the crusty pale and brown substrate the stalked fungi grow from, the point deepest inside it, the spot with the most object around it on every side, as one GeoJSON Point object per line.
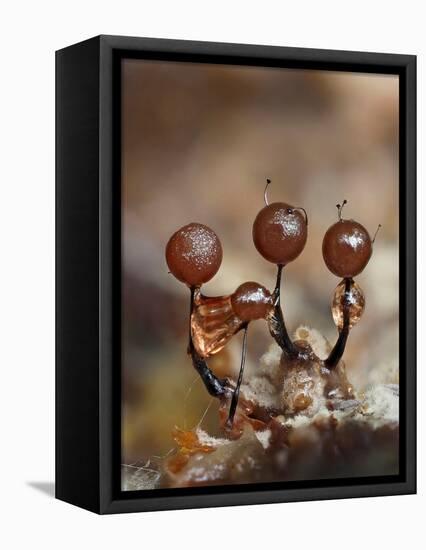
{"type": "Point", "coordinates": [337, 433]}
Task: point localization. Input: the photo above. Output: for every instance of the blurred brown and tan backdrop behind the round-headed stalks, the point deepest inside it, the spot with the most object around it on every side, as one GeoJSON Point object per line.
{"type": "Point", "coordinates": [198, 143]}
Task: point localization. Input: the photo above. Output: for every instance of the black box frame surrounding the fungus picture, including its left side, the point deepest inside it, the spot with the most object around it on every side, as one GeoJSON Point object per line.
{"type": "Point", "coordinates": [88, 265]}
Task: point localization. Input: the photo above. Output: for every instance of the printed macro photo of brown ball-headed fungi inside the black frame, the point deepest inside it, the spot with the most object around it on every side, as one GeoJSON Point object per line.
{"type": "Point", "coordinates": [260, 275]}
